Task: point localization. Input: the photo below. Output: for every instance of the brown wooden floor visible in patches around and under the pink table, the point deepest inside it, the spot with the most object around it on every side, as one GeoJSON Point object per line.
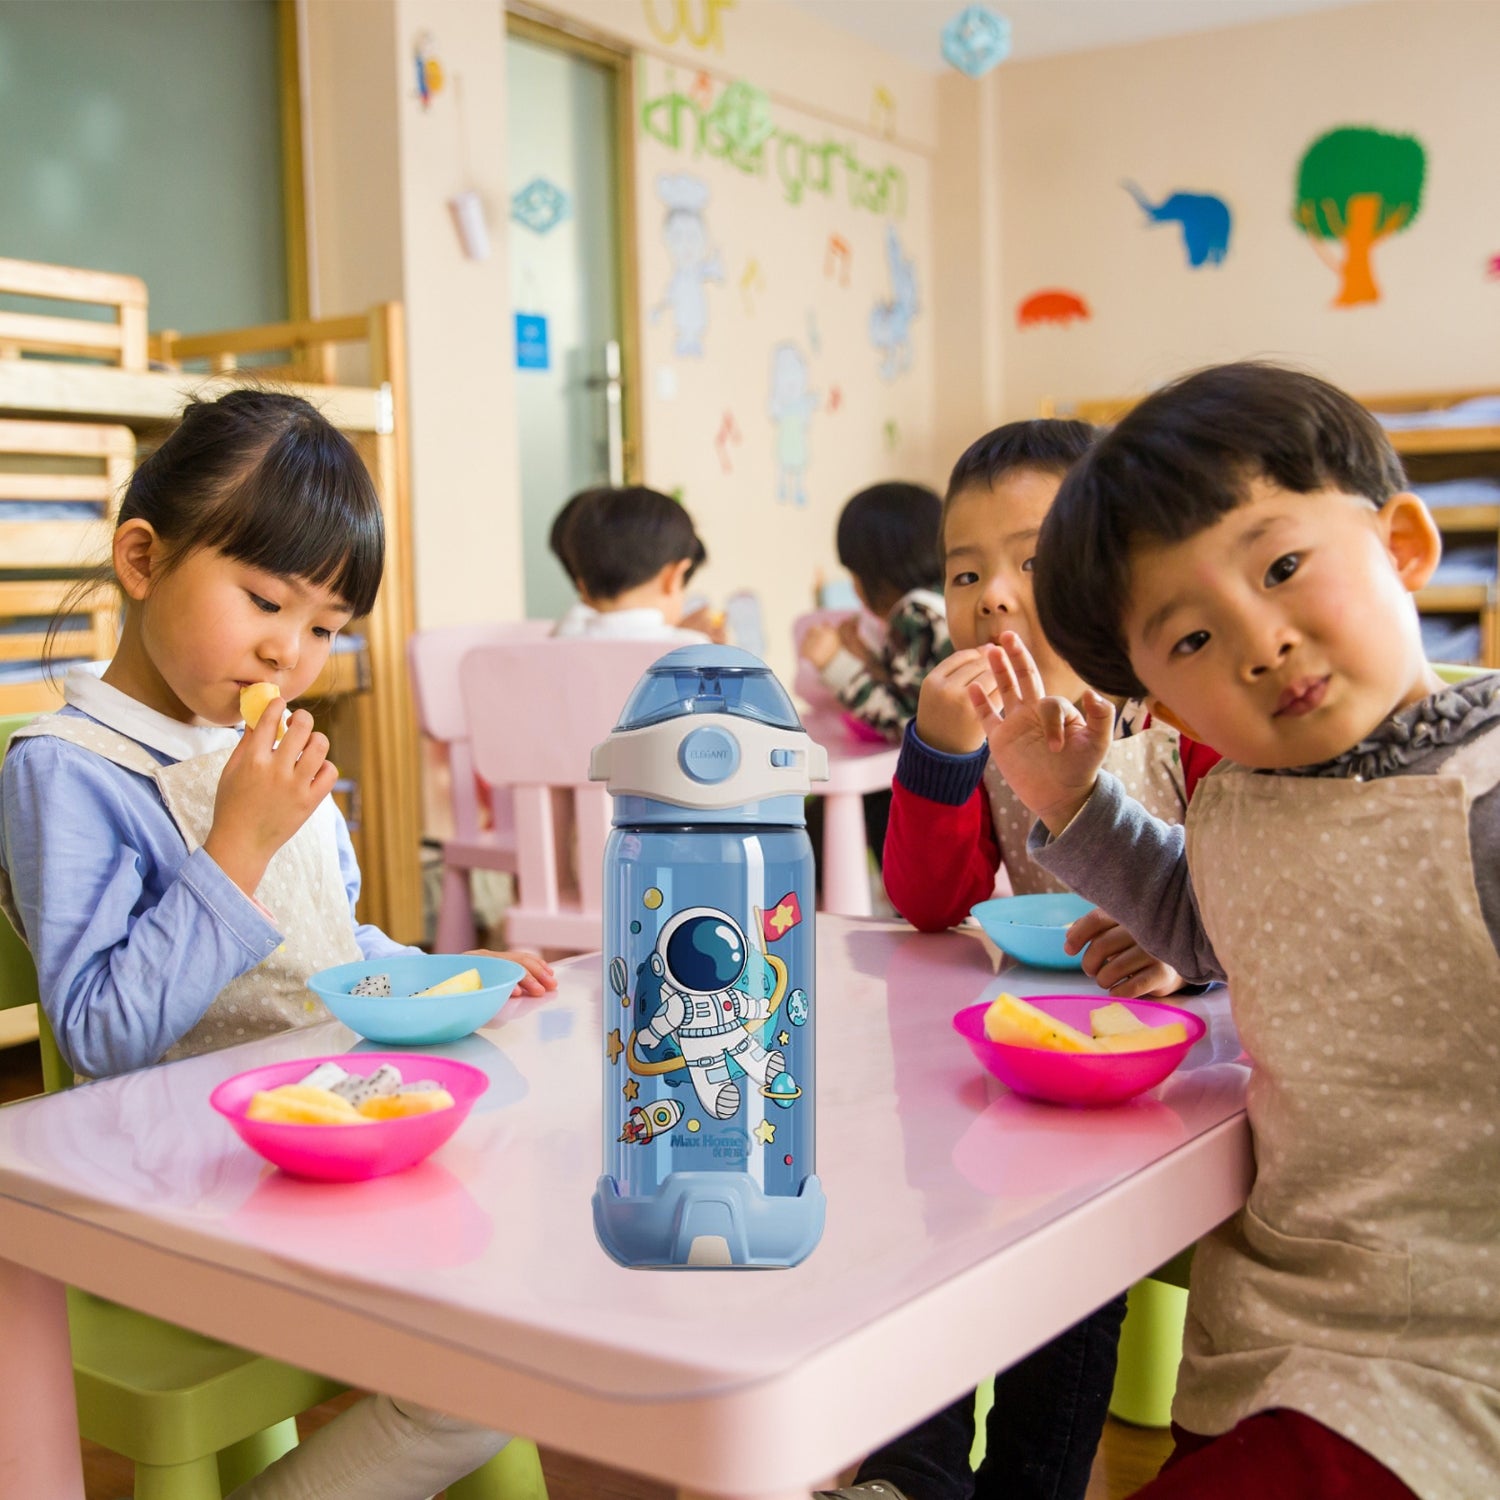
{"type": "Point", "coordinates": [1129, 1457]}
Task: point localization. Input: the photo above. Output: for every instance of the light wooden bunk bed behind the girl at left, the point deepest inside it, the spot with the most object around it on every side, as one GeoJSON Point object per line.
{"type": "Point", "coordinates": [76, 403]}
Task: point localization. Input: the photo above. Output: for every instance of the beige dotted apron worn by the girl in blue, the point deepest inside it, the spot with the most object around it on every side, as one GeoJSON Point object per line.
{"type": "Point", "coordinates": [304, 892]}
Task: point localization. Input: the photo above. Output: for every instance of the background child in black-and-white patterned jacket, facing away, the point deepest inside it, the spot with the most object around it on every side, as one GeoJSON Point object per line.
{"type": "Point", "coordinates": [889, 542]}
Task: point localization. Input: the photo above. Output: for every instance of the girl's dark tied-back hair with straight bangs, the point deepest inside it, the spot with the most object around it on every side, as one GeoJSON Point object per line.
{"type": "Point", "coordinates": [266, 479]}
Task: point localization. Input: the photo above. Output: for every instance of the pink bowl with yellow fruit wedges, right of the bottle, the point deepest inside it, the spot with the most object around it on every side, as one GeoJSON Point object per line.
{"type": "Point", "coordinates": [1078, 1049]}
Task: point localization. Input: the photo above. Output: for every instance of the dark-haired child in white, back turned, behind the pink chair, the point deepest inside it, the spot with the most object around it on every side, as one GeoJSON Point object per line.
{"type": "Point", "coordinates": [631, 554]}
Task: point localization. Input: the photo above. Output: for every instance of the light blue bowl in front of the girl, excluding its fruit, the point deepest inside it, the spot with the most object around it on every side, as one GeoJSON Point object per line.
{"type": "Point", "coordinates": [406, 1019]}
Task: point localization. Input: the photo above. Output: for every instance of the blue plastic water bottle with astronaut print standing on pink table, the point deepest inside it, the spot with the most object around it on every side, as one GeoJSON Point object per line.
{"type": "Point", "coordinates": [709, 971]}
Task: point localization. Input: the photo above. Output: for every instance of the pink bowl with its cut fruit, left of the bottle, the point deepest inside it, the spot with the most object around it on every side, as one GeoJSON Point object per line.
{"type": "Point", "coordinates": [391, 1112]}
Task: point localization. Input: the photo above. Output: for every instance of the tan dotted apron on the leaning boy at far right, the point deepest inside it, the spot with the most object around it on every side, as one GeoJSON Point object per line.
{"type": "Point", "coordinates": [1361, 1283]}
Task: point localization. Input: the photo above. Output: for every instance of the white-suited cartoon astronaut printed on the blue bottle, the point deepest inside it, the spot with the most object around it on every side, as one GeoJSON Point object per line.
{"type": "Point", "coordinates": [700, 959]}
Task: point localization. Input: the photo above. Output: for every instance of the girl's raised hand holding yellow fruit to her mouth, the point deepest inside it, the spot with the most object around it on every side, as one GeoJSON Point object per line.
{"type": "Point", "coordinates": [266, 793]}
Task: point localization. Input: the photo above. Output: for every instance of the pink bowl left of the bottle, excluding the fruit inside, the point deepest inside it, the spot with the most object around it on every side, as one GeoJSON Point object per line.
{"type": "Point", "coordinates": [350, 1153]}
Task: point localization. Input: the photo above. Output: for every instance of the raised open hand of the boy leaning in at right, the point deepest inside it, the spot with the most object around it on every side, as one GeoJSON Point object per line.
{"type": "Point", "coordinates": [1046, 749]}
